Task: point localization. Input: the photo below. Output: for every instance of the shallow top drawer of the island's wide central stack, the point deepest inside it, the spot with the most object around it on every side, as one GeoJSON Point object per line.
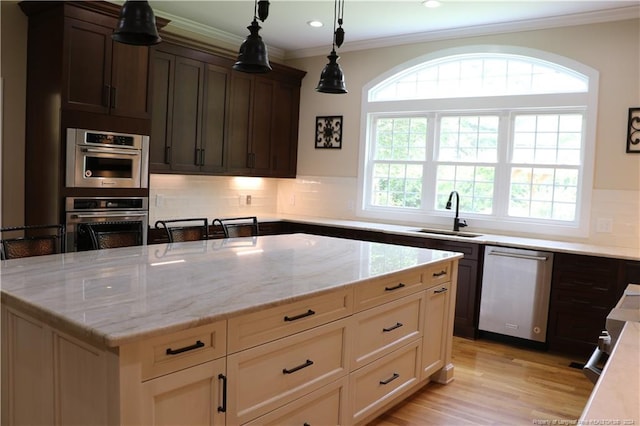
{"type": "Point", "coordinates": [253, 329]}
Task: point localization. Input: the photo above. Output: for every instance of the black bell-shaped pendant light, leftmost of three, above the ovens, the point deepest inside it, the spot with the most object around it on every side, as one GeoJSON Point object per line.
{"type": "Point", "coordinates": [136, 24]}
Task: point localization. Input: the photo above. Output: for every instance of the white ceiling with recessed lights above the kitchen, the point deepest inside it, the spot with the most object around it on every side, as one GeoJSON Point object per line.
{"type": "Point", "coordinates": [376, 23]}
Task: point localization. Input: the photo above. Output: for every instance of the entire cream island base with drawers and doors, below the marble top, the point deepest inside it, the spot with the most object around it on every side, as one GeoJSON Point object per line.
{"type": "Point", "coordinates": [339, 358]}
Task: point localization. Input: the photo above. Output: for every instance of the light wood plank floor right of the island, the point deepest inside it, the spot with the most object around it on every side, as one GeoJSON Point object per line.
{"type": "Point", "coordinates": [497, 384]}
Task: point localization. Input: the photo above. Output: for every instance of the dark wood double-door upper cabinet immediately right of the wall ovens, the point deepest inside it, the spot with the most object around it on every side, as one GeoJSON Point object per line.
{"type": "Point", "coordinates": [190, 99]}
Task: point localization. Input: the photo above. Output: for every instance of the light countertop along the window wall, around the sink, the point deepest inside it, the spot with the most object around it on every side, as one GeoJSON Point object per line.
{"type": "Point", "coordinates": [484, 238]}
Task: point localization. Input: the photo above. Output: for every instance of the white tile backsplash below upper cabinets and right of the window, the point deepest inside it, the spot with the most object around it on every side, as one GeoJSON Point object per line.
{"type": "Point", "coordinates": [615, 214]}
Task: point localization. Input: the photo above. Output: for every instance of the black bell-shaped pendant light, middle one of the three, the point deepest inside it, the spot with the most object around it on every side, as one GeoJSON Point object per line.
{"type": "Point", "coordinates": [253, 57]}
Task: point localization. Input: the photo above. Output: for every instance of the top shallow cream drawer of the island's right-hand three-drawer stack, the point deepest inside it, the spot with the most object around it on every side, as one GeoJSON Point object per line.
{"type": "Point", "coordinates": [382, 290]}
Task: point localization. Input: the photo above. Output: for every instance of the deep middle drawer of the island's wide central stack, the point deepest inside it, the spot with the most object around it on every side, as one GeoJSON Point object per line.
{"type": "Point", "coordinates": [267, 377]}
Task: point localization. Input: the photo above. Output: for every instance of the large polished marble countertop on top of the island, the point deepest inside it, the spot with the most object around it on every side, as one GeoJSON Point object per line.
{"type": "Point", "coordinates": [111, 297]}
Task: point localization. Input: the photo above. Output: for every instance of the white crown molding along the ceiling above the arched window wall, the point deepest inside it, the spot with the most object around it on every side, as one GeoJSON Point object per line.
{"type": "Point", "coordinates": [619, 14]}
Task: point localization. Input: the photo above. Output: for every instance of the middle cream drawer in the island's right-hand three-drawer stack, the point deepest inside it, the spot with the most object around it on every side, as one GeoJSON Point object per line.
{"type": "Point", "coordinates": [380, 330]}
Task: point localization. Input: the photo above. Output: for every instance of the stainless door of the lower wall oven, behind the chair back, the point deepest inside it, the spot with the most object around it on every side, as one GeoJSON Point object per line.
{"type": "Point", "coordinates": [73, 219]}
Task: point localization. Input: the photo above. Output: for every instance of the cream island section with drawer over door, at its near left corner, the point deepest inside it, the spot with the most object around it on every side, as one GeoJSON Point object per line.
{"type": "Point", "coordinates": [175, 379]}
